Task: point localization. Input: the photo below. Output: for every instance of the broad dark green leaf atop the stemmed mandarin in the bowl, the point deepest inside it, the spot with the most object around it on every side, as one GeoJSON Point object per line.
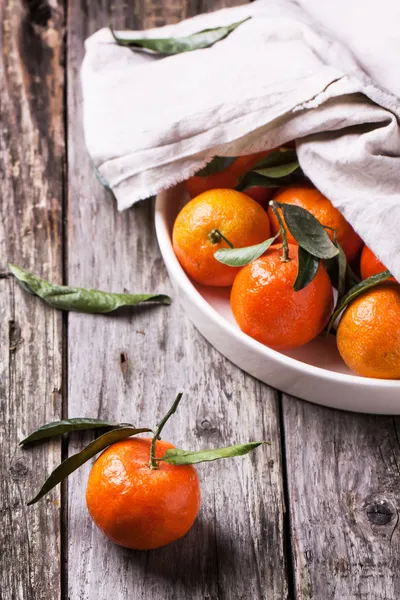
{"type": "Point", "coordinates": [308, 231]}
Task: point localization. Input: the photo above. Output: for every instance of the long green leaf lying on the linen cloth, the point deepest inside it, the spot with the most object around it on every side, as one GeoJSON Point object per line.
{"type": "Point", "coordinates": [169, 46]}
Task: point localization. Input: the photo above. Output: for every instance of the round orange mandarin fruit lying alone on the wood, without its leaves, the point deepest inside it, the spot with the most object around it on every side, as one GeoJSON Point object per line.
{"type": "Point", "coordinates": [139, 507]}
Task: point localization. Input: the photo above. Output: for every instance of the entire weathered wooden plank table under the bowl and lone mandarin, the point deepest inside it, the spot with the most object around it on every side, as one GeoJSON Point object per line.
{"type": "Point", "coordinates": [312, 517]}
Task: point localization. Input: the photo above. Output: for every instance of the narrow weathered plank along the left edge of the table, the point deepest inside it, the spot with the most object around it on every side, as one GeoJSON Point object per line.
{"type": "Point", "coordinates": [31, 171]}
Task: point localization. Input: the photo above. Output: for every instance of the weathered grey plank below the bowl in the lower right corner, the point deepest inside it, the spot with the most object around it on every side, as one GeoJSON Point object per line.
{"type": "Point", "coordinates": [344, 489]}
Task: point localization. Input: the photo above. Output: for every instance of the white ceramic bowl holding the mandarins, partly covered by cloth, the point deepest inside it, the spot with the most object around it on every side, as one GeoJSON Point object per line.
{"type": "Point", "coordinates": [314, 372]}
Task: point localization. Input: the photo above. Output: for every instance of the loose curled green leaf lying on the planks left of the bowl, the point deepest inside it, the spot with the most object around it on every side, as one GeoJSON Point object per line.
{"type": "Point", "coordinates": [79, 299]}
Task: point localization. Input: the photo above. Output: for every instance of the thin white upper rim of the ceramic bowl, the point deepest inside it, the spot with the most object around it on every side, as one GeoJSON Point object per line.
{"type": "Point", "coordinates": [164, 240]}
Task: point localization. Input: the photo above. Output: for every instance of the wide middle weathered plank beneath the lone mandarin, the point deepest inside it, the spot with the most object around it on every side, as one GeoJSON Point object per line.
{"type": "Point", "coordinates": [235, 550]}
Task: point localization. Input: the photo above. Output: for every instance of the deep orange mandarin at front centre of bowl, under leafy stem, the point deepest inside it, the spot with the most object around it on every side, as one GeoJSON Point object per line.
{"type": "Point", "coordinates": [267, 308]}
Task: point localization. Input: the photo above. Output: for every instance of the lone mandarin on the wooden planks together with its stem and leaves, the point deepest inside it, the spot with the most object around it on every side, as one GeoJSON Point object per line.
{"type": "Point", "coordinates": [142, 493]}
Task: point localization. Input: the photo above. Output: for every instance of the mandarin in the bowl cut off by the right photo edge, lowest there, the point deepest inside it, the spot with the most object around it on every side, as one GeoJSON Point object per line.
{"type": "Point", "coordinates": [368, 335]}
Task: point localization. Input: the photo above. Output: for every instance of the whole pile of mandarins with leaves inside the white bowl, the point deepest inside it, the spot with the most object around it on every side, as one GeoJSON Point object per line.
{"type": "Point", "coordinates": [267, 242]}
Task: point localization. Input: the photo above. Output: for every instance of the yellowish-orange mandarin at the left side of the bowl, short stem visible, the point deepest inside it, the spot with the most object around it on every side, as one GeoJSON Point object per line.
{"type": "Point", "coordinates": [195, 239]}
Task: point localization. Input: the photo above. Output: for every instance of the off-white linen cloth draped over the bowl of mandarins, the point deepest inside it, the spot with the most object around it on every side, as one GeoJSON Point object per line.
{"type": "Point", "coordinates": [323, 72]}
